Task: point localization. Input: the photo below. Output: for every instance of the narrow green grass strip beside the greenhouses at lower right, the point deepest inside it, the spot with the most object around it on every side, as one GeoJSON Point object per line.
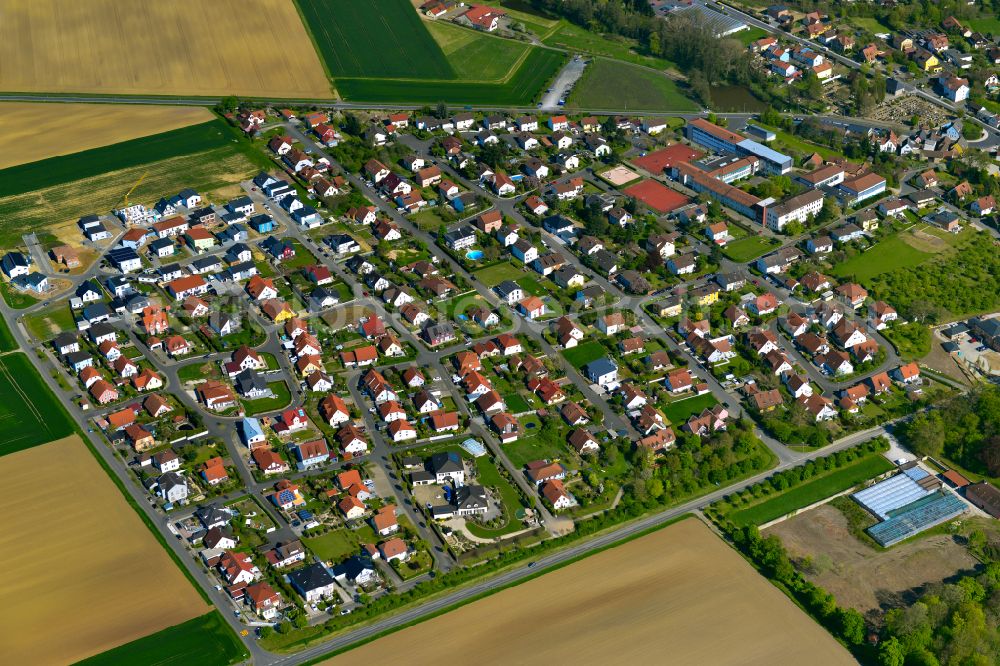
{"type": "Point", "coordinates": [812, 491]}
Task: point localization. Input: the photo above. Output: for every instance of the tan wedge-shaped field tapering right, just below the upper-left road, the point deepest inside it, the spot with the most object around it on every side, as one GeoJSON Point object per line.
{"type": "Point", "coordinates": [34, 132]}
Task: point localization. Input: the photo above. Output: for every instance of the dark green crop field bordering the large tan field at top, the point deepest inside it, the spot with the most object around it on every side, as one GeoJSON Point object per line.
{"type": "Point", "coordinates": [383, 39]}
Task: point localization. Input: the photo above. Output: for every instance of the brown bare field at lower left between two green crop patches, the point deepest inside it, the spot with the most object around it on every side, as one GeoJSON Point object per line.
{"type": "Point", "coordinates": [113, 584]}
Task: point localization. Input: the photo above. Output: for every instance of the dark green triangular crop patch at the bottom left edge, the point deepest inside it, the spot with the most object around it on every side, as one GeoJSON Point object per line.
{"type": "Point", "coordinates": [205, 640]}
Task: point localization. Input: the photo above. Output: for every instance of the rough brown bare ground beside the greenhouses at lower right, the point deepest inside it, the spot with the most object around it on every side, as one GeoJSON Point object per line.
{"type": "Point", "coordinates": [858, 575]}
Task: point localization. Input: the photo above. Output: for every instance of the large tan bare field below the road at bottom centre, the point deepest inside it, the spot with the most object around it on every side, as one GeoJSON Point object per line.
{"type": "Point", "coordinates": [631, 609]}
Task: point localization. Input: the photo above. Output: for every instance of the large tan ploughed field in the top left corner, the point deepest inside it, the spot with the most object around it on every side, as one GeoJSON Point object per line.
{"type": "Point", "coordinates": [184, 47]}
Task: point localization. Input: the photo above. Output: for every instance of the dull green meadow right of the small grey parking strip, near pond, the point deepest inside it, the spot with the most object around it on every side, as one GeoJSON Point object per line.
{"type": "Point", "coordinates": [612, 84]}
